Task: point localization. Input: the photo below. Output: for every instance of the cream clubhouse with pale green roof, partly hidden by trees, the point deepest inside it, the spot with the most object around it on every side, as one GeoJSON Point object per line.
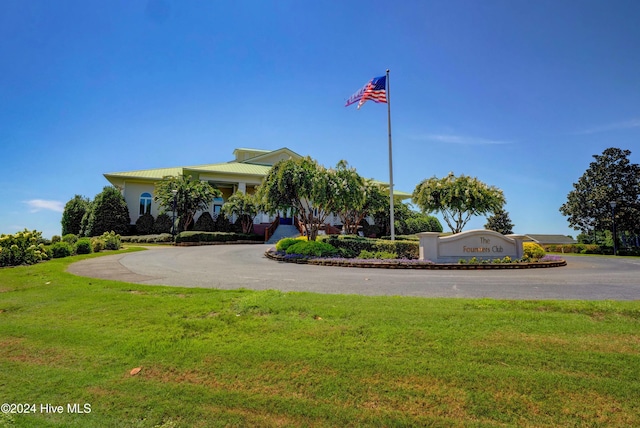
{"type": "Point", "coordinates": [243, 174]}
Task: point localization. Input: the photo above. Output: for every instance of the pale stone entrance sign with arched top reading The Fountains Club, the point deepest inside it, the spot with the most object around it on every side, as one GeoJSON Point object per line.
{"type": "Point", "coordinates": [481, 244]}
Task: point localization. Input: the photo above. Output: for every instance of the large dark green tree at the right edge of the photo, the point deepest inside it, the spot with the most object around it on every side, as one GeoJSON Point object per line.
{"type": "Point", "coordinates": [611, 177]}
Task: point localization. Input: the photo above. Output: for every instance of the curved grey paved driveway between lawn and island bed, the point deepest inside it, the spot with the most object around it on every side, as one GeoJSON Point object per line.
{"type": "Point", "coordinates": [244, 266]}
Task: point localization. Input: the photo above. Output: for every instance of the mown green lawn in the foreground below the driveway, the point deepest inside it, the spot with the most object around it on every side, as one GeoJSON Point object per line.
{"type": "Point", "coordinates": [245, 358]}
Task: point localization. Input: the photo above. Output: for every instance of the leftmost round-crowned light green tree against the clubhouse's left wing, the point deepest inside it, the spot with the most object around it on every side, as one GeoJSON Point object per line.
{"type": "Point", "coordinates": [191, 196]}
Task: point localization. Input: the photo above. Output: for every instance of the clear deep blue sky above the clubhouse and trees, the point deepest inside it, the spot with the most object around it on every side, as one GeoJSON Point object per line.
{"type": "Point", "coordinates": [520, 94]}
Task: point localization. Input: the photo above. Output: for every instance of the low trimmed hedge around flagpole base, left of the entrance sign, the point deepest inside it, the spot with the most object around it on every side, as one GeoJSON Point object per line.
{"type": "Point", "coordinates": [352, 246]}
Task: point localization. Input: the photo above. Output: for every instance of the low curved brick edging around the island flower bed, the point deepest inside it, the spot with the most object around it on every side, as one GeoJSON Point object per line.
{"type": "Point", "coordinates": [395, 264]}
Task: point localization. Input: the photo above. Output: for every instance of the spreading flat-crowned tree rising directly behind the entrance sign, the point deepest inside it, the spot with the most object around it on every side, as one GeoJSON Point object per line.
{"type": "Point", "coordinates": [457, 198]}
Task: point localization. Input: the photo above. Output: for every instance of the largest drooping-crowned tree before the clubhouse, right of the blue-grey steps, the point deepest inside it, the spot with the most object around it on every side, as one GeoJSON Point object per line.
{"type": "Point", "coordinates": [302, 186]}
